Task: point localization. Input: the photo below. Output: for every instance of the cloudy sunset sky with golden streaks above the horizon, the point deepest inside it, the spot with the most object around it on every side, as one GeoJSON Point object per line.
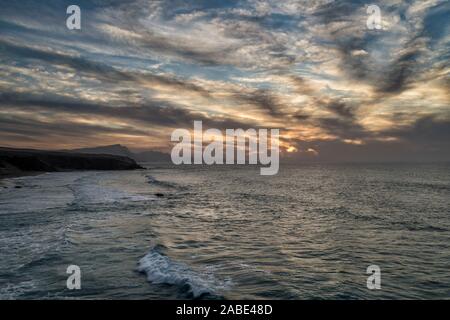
{"type": "Point", "coordinates": [137, 70]}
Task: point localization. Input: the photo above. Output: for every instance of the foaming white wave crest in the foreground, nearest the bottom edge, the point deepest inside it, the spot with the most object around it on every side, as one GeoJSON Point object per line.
{"type": "Point", "coordinates": [160, 269]}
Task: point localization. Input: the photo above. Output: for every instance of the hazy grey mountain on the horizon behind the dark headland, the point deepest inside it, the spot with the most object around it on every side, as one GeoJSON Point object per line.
{"type": "Point", "coordinates": [119, 150]}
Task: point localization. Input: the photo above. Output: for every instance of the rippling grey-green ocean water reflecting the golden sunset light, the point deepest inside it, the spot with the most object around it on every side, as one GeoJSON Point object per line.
{"type": "Point", "coordinates": [226, 232]}
